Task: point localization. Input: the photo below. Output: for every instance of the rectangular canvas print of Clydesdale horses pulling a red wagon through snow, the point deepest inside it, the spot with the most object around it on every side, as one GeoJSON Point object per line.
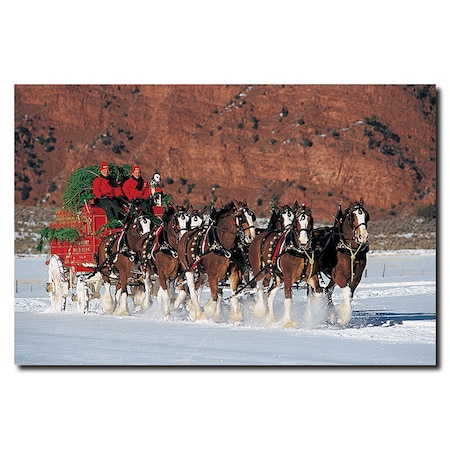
{"type": "Point", "coordinates": [225, 225]}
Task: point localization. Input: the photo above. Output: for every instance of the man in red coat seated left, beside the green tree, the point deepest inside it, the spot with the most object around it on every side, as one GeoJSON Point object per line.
{"type": "Point", "coordinates": [106, 193]}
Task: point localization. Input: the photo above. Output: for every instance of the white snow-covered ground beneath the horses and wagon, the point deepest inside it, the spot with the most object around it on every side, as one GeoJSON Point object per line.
{"type": "Point", "coordinates": [393, 324]}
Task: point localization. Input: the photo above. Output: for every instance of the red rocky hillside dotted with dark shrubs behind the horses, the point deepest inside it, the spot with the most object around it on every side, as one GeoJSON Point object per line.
{"type": "Point", "coordinates": [321, 144]}
